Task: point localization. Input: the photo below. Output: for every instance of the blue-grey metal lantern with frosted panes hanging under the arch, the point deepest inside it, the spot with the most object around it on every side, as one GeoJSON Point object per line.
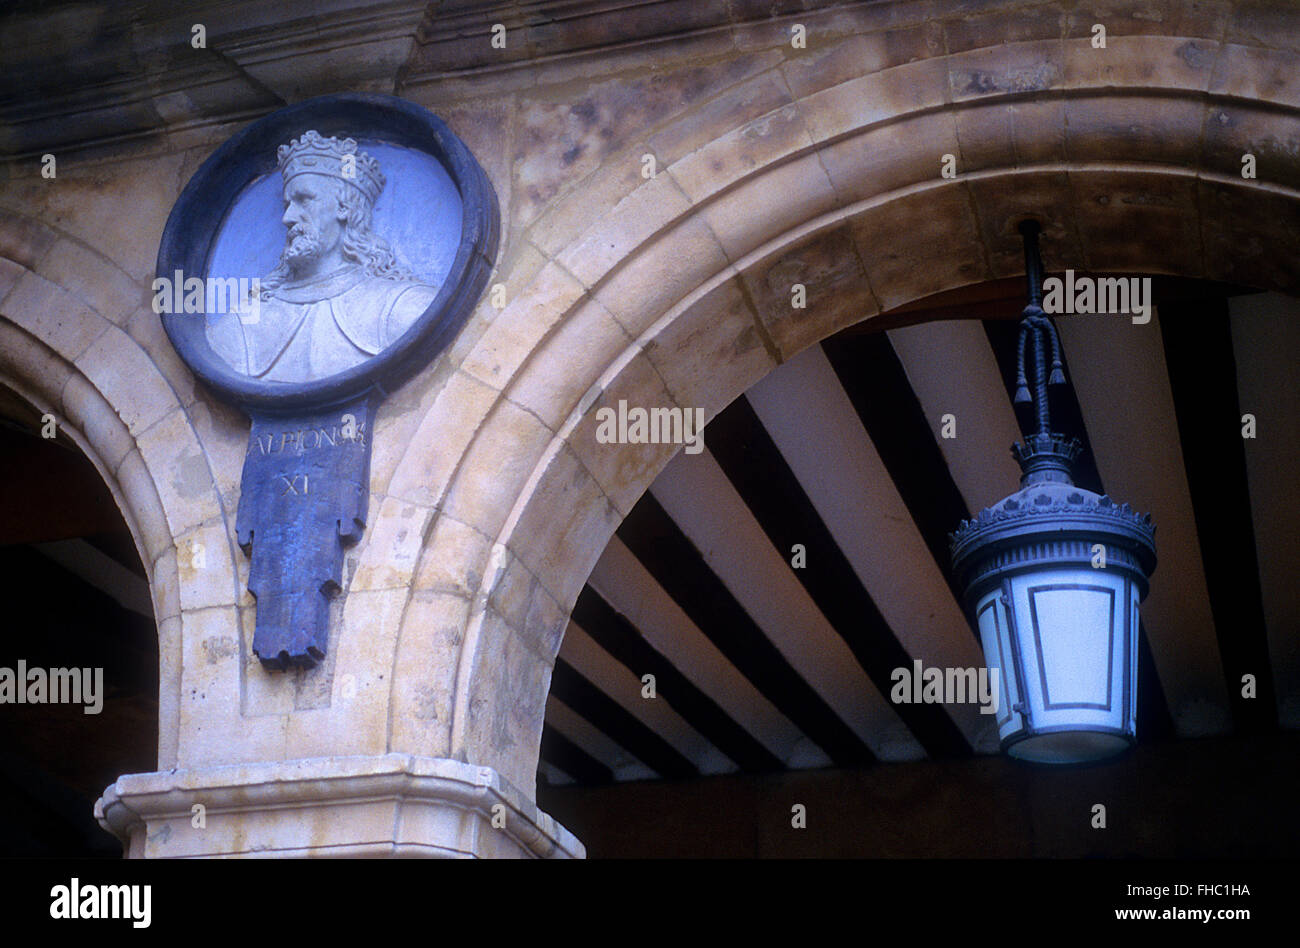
{"type": "Point", "coordinates": [1054, 575]}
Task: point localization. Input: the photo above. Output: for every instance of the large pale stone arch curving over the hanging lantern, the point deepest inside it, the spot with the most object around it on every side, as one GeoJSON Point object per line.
{"type": "Point", "coordinates": [677, 296]}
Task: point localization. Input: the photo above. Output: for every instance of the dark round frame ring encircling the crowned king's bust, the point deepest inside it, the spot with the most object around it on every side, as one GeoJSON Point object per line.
{"type": "Point", "coordinates": [197, 219]}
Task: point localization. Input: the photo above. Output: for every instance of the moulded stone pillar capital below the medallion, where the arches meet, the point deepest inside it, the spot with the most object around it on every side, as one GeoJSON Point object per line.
{"type": "Point", "coordinates": [346, 807]}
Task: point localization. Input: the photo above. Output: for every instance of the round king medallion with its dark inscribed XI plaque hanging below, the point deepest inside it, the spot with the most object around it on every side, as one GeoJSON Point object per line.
{"type": "Point", "coordinates": [314, 263]}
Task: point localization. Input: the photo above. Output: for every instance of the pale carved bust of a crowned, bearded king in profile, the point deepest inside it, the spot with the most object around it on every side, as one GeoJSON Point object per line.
{"type": "Point", "coordinates": [340, 296]}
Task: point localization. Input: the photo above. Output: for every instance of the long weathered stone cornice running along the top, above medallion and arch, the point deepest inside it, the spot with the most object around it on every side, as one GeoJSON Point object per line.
{"type": "Point", "coordinates": [94, 76]}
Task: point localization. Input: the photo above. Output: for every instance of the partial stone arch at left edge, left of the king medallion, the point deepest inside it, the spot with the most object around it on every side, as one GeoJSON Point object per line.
{"type": "Point", "coordinates": [68, 347]}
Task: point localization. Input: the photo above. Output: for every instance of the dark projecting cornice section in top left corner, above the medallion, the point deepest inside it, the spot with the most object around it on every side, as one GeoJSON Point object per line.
{"type": "Point", "coordinates": [88, 77]}
